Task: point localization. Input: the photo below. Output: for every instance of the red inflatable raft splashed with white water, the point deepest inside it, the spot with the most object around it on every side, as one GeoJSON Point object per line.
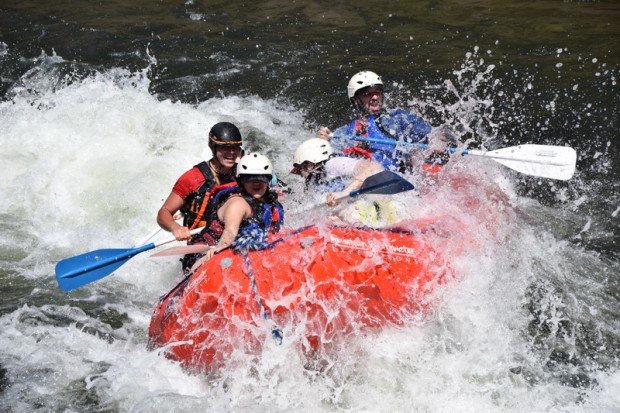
{"type": "Point", "coordinates": [327, 282]}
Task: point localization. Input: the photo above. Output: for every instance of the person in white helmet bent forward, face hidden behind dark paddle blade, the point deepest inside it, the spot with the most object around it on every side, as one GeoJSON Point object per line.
{"type": "Point", "coordinates": [328, 172]}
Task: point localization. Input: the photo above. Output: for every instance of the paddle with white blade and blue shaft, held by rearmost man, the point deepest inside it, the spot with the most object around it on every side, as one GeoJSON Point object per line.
{"type": "Point", "coordinates": [546, 161]}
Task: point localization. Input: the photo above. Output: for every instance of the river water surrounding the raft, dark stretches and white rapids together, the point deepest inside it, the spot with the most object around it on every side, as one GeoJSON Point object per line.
{"type": "Point", "coordinates": [103, 105]}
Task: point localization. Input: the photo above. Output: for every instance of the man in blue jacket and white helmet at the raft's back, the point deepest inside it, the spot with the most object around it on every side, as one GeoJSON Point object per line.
{"type": "Point", "coordinates": [372, 120]}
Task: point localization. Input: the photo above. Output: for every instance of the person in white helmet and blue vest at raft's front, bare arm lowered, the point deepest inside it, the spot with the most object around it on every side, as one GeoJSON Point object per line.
{"type": "Point", "coordinates": [241, 215]}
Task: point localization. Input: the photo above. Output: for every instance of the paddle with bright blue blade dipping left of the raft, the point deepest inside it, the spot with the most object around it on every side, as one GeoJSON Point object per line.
{"type": "Point", "coordinates": [74, 272]}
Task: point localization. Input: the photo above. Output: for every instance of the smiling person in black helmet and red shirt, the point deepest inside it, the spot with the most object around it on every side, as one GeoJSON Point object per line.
{"type": "Point", "coordinates": [190, 194]}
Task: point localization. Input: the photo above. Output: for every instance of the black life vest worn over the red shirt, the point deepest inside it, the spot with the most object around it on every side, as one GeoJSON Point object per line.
{"type": "Point", "coordinates": [195, 204]}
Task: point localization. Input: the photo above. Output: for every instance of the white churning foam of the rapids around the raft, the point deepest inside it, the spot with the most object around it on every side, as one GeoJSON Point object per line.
{"type": "Point", "coordinates": [88, 165]}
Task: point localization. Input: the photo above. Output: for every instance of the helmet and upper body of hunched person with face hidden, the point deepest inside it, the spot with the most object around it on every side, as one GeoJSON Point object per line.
{"type": "Point", "coordinates": [323, 170]}
